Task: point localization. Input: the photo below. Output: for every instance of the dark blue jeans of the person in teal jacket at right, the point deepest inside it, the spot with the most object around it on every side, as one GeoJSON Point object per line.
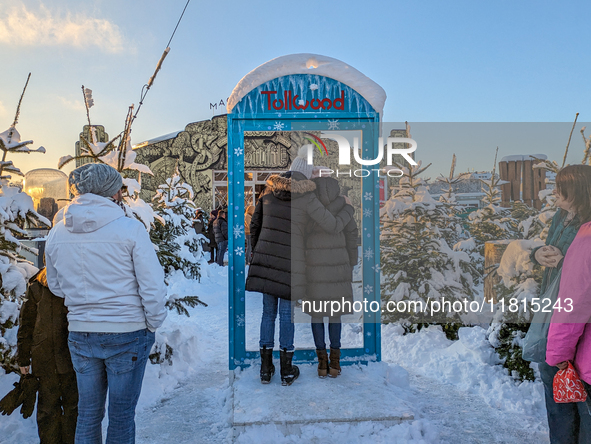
{"type": "Point", "coordinates": [569, 423]}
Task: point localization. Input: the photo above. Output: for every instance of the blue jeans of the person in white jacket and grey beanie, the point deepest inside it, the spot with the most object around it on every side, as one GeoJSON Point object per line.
{"type": "Point", "coordinates": [113, 361]}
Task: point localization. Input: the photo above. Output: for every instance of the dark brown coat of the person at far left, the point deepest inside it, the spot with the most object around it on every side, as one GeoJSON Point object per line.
{"type": "Point", "coordinates": [43, 332]}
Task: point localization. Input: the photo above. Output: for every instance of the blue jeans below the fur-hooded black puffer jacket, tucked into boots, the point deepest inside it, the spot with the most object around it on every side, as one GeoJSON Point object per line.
{"type": "Point", "coordinates": [286, 327]}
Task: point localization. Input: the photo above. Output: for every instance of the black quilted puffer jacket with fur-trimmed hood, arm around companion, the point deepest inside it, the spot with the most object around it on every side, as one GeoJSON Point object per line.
{"type": "Point", "coordinates": [277, 233]}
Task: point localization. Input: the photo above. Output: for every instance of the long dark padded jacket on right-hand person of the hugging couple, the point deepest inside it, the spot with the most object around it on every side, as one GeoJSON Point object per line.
{"type": "Point", "coordinates": [330, 257]}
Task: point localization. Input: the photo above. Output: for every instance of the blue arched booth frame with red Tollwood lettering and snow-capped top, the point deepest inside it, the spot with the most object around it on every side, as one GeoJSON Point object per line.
{"type": "Point", "coordinates": [291, 93]}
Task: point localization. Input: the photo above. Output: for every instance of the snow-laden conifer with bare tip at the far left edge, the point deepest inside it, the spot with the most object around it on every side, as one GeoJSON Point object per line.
{"type": "Point", "coordinates": [16, 209]}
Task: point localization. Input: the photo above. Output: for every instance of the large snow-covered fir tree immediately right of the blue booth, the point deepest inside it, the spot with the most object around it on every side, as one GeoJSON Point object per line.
{"type": "Point", "coordinates": [417, 262]}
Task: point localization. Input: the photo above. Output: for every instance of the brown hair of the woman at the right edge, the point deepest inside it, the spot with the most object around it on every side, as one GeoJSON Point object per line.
{"type": "Point", "coordinates": [574, 184]}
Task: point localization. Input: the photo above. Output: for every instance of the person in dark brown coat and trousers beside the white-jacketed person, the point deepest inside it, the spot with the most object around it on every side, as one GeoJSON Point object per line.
{"type": "Point", "coordinates": [42, 340]}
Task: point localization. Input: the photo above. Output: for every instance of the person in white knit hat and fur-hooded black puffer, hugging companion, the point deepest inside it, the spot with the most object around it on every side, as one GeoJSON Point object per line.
{"type": "Point", "coordinates": [278, 266]}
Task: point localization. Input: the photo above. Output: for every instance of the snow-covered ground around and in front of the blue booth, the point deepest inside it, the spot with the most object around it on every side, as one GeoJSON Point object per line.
{"type": "Point", "coordinates": [455, 391]}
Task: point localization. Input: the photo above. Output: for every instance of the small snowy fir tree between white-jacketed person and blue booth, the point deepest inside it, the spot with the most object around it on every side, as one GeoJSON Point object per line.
{"type": "Point", "coordinates": [179, 247]}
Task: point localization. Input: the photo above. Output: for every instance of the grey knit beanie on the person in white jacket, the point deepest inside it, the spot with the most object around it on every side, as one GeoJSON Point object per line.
{"type": "Point", "coordinates": [96, 178]}
